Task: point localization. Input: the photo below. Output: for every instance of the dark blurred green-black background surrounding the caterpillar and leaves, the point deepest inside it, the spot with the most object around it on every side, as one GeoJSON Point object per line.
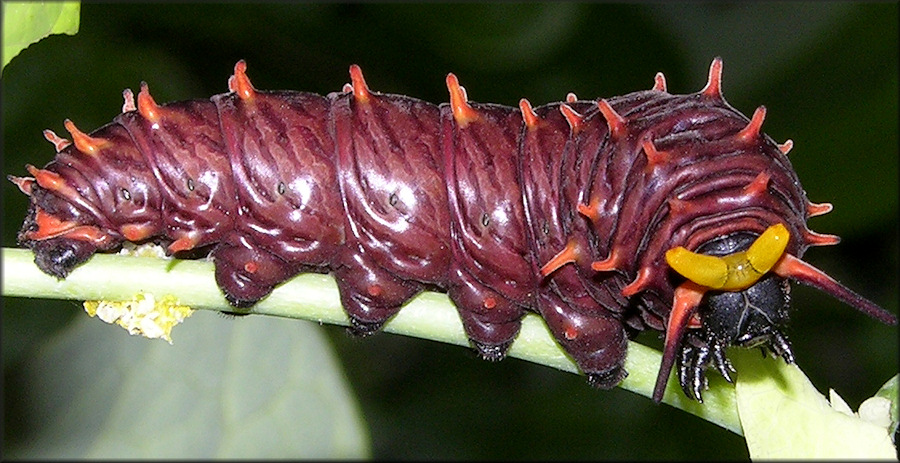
{"type": "Point", "coordinates": [827, 72]}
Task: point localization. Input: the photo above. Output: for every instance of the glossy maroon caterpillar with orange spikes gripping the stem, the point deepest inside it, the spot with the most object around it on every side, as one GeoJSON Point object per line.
{"type": "Point", "coordinates": [607, 217]}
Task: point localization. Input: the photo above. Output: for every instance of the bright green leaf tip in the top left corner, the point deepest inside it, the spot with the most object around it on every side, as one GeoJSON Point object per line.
{"type": "Point", "coordinates": [25, 23]}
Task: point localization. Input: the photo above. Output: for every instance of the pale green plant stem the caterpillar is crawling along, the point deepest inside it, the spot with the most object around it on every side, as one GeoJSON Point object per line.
{"type": "Point", "coordinates": [315, 297]}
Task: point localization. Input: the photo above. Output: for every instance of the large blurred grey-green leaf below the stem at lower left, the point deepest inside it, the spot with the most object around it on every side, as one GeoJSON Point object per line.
{"type": "Point", "coordinates": [256, 387]}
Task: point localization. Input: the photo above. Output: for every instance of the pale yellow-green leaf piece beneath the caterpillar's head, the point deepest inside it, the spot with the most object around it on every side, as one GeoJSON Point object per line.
{"type": "Point", "coordinates": [784, 416]}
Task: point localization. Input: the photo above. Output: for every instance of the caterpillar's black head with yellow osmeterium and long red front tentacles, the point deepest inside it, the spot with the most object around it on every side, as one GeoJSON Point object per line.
{"type": "Point", "coordinates": [737, 293]}
